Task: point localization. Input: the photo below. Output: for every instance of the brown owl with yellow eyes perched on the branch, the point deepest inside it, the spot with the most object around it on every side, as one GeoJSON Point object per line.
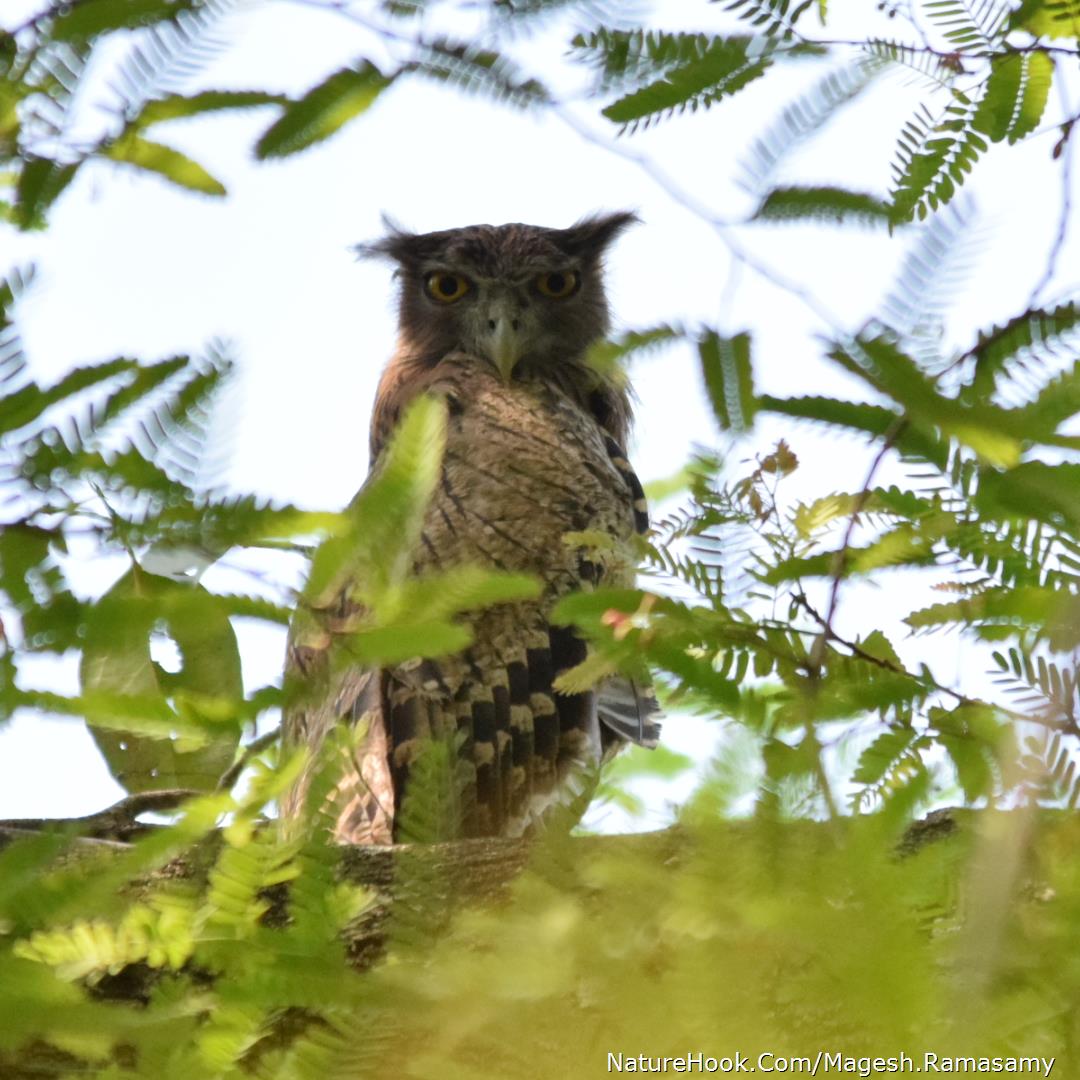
{"type": "Point", "coordinates": [497, 321]}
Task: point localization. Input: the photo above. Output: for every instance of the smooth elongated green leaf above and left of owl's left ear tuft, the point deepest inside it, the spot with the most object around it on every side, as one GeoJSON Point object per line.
{"type": "Point", "coordinates": [322, 112]}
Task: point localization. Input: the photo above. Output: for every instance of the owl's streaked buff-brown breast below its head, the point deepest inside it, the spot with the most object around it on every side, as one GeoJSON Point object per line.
{"type": "Point", "coordinates": [524, 467]}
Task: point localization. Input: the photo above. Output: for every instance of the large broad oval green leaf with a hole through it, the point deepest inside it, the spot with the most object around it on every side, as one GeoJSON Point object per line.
{"type": "Point", "coordinates": [206, 694]}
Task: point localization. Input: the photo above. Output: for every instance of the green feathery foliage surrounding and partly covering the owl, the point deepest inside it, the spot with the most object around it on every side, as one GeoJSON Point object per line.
{"type": "Point", "coordinates": [782, 874]}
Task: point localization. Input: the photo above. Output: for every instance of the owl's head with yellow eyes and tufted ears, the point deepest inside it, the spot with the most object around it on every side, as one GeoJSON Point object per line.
{"type": "Point", "coordinates": [528, 300]}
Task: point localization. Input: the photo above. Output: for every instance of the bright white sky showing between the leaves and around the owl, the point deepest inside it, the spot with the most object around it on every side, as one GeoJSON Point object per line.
{"type": "Point", "coordinates": [133, 266]}
